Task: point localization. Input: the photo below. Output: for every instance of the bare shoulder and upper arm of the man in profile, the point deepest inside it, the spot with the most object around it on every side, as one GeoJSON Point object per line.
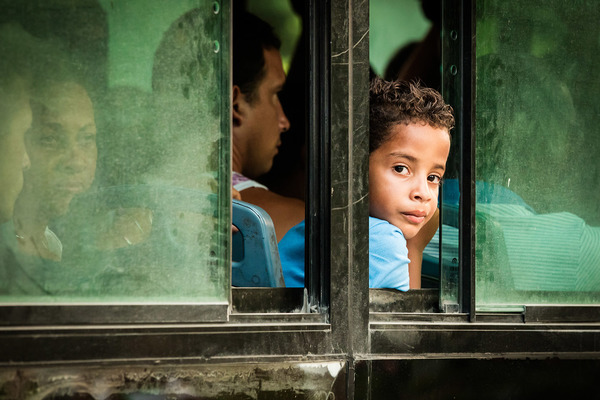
{"type": "Point", "coordinates": [285, 212]}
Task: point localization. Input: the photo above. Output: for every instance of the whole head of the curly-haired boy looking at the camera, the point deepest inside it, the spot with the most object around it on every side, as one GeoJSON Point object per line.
{"type": "Point", "coordinates": [409, 146]}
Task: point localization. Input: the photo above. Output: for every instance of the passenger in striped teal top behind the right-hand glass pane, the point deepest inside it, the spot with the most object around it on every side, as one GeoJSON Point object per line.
{"type": "Point", "coordinates": [531, 241]}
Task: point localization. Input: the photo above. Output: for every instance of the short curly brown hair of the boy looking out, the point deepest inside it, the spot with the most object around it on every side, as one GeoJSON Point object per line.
{"type": "Point", "coordinates": [401, 102]}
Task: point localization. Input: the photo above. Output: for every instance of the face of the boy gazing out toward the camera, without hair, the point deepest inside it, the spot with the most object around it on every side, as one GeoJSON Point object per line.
{"type": "Point", "coordinates": [404, 176]}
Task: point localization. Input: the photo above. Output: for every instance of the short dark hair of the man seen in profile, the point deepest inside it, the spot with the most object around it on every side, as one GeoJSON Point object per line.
{"type": "Point", "coordinates": [250, 36]}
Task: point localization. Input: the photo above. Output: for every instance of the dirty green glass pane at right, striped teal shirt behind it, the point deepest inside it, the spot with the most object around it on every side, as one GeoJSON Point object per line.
{"type": "Point", "coordinates": [537, 165]}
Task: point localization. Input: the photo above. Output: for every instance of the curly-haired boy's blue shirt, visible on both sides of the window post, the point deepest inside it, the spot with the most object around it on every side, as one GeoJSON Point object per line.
{"type": "Point", "coordinates": [388, 256]}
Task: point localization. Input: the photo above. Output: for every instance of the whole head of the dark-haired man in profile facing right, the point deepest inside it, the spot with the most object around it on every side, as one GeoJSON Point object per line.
{"type": "Point", "coordinates": [258, 77]}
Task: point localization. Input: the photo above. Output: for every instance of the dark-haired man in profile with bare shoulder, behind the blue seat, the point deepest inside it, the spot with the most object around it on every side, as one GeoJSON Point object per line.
{"type": "Point", "coordinates": [258, 118]}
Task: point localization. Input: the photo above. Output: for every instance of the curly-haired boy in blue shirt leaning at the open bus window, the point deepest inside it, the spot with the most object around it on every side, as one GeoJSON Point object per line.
{"type": "Point", "coordinates": [409, 145]}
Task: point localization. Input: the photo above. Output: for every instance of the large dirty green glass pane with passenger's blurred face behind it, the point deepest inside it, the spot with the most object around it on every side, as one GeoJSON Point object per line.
{"type": "Point", "coordinates": [120, 134]}
